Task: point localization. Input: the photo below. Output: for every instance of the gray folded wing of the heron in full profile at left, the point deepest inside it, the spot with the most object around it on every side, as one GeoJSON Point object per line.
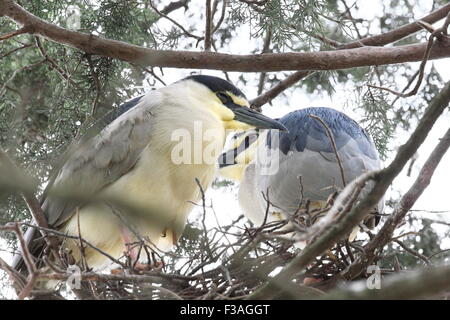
{"type": "Point", "coordinates": [98, 160]}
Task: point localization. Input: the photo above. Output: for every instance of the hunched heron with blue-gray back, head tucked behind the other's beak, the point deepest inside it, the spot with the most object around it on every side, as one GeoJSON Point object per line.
{"type": "Point", "coordinates": [299, 161]}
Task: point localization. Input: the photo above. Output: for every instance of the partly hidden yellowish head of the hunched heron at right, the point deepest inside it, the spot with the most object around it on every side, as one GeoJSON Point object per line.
{"type": "Point", "coordinates": [241, 151]}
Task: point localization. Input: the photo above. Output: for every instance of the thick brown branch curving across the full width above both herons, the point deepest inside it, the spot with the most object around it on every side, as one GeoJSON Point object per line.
{"type": "Point", "coordinates": [324, 60]}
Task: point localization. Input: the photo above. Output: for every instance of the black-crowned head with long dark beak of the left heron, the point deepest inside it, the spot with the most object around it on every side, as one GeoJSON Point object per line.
{"type": "Point", "coordinates": [228, 103]}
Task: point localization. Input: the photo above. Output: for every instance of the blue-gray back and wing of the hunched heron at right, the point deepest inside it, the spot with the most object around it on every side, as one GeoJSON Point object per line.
{"type": "Point", "coordinates": [306, 150]}
